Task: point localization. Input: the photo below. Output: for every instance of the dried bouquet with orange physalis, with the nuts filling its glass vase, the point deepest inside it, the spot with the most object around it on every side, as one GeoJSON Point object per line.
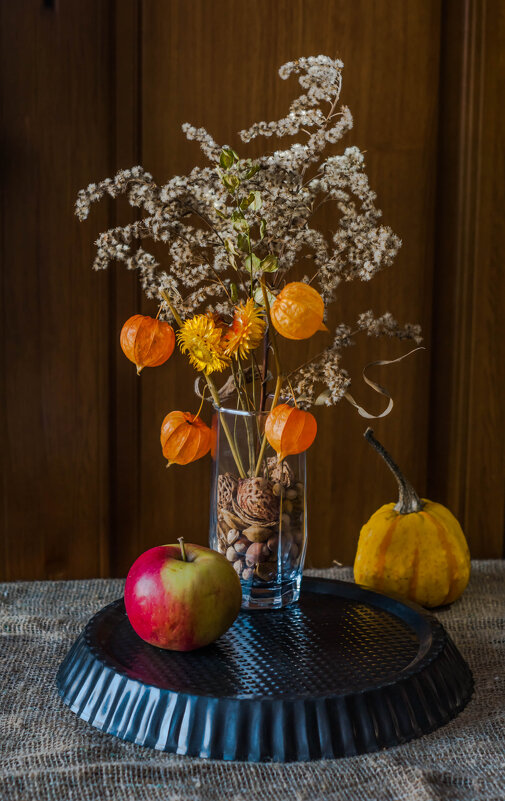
{"type": "Point", "coordinates": [234, 230]}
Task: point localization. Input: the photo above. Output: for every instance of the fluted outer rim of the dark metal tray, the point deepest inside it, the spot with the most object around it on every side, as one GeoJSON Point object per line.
{"type": "Point", "coordinates": [256, 730]}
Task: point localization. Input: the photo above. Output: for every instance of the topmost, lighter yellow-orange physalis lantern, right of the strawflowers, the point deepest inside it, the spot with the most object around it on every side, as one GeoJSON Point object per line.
{"type": "Point", "coordinates": [297, 311]}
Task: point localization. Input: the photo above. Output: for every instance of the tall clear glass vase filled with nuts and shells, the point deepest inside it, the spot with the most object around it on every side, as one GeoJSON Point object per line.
{"type": "Point", "coordinates": [258, 510]}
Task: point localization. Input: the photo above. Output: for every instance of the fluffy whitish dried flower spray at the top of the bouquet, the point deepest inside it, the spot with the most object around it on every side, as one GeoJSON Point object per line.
{"type": "Point", "coordinates": [237, 227]}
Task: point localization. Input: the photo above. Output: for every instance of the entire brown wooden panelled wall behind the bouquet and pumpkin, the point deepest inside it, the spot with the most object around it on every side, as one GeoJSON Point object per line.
{"type": "Point", "coordinates": [90, 87]}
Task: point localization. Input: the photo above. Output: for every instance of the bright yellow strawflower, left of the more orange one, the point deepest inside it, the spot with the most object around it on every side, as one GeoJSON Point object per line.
{"type": "Point", "coordinates": [202, 339]}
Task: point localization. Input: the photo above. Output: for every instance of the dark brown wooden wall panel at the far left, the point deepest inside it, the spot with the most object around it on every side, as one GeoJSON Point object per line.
{"type": "Point", "coordinates": [55, 123]}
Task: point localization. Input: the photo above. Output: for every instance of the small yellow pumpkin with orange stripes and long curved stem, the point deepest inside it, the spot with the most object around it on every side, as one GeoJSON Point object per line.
{"type": "Point", "coordinates": [414, 549]}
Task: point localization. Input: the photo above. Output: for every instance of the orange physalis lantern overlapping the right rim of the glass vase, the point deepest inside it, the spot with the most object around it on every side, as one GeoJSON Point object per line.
{"type": "Point", "coordinates": [290, 430]}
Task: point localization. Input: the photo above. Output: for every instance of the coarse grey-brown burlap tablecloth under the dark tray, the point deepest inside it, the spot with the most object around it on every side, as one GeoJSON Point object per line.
{"type": "Point", "coordinates": [48, 753]}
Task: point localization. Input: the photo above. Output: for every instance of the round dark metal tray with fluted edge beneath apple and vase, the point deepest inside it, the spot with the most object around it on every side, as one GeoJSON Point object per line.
{"type": "Point", "coordinates": [346, 671]}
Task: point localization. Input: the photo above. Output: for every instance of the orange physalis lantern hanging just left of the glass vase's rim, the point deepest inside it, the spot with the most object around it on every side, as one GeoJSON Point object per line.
{"type": "Point", "coordinates": [184, 438]}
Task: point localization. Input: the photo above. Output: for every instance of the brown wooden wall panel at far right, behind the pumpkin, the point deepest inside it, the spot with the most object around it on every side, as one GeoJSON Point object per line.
{"type": "Point", "coordinates": [467, 444]}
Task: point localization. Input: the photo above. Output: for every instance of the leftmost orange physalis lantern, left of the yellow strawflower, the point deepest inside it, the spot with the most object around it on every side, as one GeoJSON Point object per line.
{"type": "Point", "coordinates": [147, 342]}
